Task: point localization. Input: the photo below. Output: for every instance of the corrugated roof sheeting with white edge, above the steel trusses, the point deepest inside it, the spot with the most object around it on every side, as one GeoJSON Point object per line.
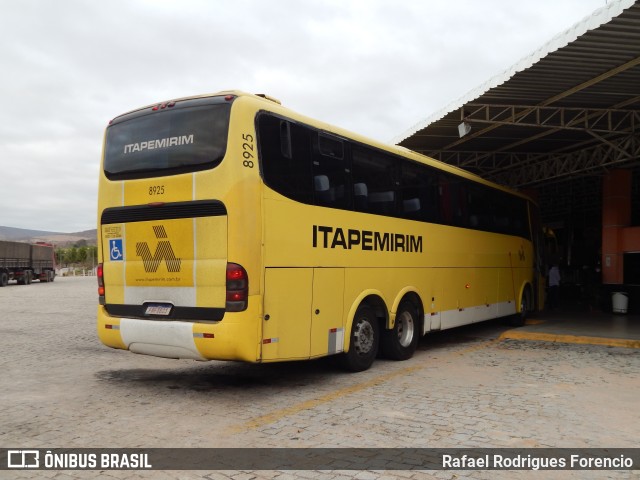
{"type": "Point", "coordinates": [592, 46]}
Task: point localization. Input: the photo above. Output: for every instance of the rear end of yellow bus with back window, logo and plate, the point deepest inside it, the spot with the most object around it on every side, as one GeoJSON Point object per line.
{"type": "Point", "coordinates": [168, 283]}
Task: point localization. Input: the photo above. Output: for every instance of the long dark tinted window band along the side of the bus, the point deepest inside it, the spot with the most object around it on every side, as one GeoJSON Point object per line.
{"type": "Point", "coordinates": [314, 167]}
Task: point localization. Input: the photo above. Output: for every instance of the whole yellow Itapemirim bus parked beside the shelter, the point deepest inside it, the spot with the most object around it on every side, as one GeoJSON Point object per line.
{"type": "Point", "coordinates": [232, 228]}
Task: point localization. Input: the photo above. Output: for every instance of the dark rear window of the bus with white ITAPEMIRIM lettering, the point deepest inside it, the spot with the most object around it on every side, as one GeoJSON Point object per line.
{"type": "Point", "coordinates": [167, 142]}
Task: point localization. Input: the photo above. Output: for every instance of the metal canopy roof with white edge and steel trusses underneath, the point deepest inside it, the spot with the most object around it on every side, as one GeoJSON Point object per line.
{"type": "Point", "coordinates": [569, 111]}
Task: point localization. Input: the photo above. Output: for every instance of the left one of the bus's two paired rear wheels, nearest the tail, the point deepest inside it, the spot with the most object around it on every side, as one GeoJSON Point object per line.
{"type": "Point", "coordinates": [364, 340]}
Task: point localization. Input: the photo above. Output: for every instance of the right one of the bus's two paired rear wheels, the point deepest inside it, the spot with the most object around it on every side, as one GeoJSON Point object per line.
{"type": "Point", "coordinates": [400, 342]}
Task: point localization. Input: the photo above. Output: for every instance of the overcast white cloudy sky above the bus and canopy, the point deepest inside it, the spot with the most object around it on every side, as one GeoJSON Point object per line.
{"type": "Point", "coordinates": [375, 67]}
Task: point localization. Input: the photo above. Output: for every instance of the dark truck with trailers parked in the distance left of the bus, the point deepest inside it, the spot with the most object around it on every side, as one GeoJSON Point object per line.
{"type": "Point", "coordinates": [24, 262]}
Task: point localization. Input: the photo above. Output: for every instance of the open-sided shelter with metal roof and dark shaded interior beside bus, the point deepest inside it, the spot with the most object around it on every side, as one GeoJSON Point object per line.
{"type": "Point", "coordinates": [563, 125]}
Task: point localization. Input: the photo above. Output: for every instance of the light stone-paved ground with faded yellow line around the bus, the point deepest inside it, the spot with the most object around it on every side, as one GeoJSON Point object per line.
{"type": "Point", "coordinates": [465, 388]}
